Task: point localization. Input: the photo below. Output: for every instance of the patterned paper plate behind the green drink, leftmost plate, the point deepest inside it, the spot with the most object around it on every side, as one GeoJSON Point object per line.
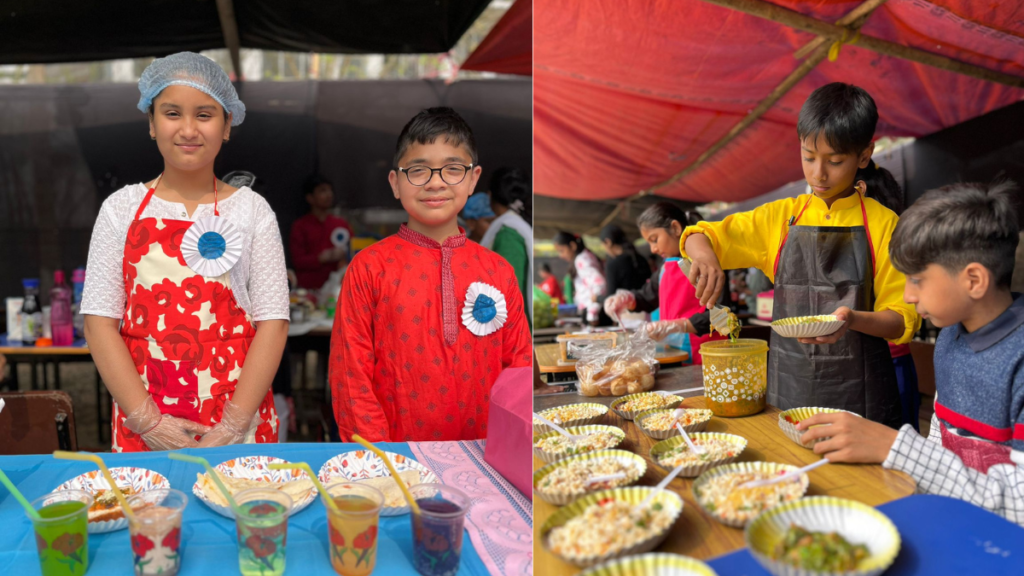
{"type": "Point", "coordinates": [106, 515]}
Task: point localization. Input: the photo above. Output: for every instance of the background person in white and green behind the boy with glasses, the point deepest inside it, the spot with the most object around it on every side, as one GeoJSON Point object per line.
{"type": "Point", "coordinates": [510, 234]}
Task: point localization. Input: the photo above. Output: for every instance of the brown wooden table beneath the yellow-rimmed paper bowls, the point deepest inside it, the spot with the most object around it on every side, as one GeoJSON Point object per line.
{"type": "Point", "coordinates": [696, 534]}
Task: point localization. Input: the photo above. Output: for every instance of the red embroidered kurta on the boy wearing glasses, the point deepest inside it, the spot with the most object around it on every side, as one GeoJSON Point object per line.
{"type": "Point", "coordinates": [404, 366]}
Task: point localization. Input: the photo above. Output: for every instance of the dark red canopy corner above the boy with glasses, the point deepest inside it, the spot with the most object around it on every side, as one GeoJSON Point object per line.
{"type": "Point", "coordinates": [508, 49]}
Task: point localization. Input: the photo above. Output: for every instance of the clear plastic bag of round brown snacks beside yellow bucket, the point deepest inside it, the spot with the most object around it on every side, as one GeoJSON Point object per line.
{"type": "Point", "coordinates": [628, 368]}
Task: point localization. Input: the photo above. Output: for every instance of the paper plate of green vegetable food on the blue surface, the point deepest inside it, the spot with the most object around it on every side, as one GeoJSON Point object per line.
{"type": "Point", "coordinates": [824, 536]}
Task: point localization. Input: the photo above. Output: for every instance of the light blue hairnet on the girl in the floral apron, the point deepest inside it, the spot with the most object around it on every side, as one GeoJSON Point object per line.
{"type": "Point", "coordinates": [196, 71]}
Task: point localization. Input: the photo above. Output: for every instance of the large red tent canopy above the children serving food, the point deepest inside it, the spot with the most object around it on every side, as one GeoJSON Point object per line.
{"type": "Point", "coordinates": [630, 93]}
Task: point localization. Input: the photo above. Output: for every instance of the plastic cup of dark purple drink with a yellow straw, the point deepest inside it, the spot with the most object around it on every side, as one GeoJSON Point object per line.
{"type": "Point", "coordinates": [438, 529]}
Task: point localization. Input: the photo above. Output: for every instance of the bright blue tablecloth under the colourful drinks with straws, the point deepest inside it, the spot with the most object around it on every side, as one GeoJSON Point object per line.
{"type": "Point", "coordinates": [209, 544]}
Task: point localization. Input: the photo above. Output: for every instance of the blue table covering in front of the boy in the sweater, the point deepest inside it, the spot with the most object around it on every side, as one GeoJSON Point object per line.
{"type": "Point", "coordinates": [941, 537]}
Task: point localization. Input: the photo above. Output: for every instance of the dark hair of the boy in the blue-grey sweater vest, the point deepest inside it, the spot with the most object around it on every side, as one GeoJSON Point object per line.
{"type": "Point", "coordinates": [959, 225]}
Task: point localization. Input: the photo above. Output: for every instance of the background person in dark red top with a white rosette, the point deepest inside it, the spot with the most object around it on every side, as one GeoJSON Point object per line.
{"type": "Point", "coordinates": [320, 241]}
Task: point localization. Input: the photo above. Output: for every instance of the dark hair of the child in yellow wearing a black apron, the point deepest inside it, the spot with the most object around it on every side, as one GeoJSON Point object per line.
{"type": "Point", "coordinates": [843, 114]}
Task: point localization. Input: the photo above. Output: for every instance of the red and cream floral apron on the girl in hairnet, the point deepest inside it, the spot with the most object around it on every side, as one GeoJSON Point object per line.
{"type": "Point", "coordinates": [187, 334]}
